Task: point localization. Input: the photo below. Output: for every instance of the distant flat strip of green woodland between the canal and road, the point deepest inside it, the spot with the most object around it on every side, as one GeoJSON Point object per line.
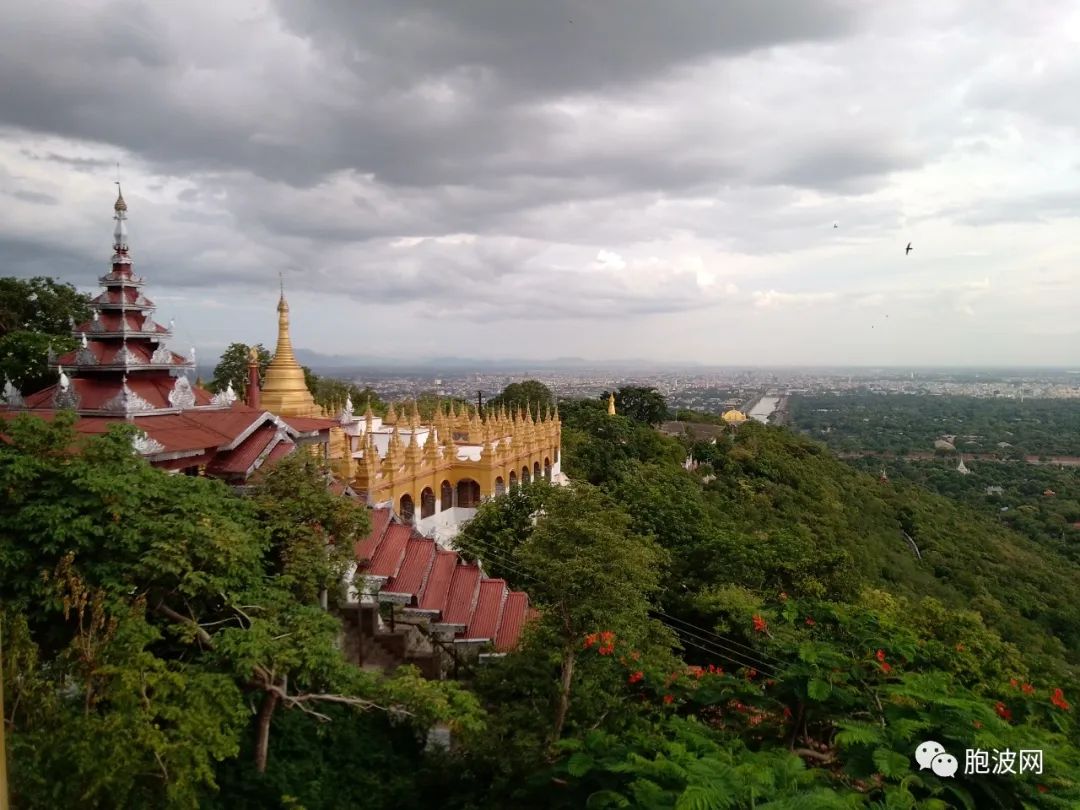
{"type": "Point", "coordinates": [902, 424]}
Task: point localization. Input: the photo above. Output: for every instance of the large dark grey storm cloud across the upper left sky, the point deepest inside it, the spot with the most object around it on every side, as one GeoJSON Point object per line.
{"type": "Point", "coordinates": [363, 91]}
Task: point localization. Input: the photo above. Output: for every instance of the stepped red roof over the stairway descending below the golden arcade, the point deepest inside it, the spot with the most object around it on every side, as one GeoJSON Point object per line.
{"type": "Point", "coordinates": [404, 565]}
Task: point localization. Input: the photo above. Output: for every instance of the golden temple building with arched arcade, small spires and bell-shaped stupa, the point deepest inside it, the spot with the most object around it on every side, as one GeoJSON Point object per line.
{"type": "Point", "coordinates": [433, 475]}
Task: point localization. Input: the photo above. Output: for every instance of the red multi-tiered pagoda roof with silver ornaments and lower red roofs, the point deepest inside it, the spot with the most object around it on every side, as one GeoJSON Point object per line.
{"type": "Point", "coordinates": [124, 370]}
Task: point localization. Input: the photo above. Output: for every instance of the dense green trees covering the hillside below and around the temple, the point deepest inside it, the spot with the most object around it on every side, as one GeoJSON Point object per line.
{"type": "Point", "coordinates": [774, 629]}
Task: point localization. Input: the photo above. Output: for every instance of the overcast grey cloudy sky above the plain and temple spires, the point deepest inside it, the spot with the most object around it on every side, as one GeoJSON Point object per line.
{"type": "Point", "coordinates": [595, 179]}
